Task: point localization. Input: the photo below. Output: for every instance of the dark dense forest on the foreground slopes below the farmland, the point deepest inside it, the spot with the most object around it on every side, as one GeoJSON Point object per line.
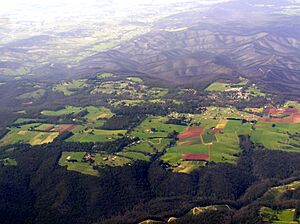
{"type": "Point", "coordinates": [38, 190]}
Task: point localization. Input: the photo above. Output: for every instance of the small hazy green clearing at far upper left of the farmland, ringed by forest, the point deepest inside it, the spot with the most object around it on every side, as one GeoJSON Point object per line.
{"type": "Point", "coordinates": [69, 88]}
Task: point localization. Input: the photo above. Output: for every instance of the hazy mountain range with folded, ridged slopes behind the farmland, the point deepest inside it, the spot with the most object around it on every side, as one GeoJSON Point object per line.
{"type": "Point", "coordinates": [207, 52]}
